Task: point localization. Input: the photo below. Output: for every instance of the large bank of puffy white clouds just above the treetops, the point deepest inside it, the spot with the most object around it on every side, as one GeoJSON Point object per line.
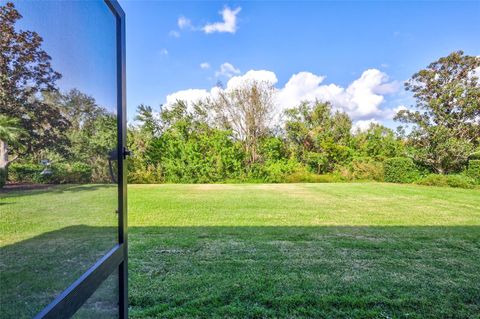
{"type": "Point", "coordinates": [362, 99]}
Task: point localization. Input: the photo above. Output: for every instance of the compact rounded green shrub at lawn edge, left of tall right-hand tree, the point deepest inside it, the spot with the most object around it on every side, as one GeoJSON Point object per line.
{"type": "Point", "coordinates": [400, 170]}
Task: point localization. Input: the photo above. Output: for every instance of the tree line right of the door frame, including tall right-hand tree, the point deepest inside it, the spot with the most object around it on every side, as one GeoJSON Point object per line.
{"type": "Point", "coordinates": [229, 137]}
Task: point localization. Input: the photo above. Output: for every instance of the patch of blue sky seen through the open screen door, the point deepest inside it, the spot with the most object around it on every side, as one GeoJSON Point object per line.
{"type": "Point", "coordinates": [80, 38]}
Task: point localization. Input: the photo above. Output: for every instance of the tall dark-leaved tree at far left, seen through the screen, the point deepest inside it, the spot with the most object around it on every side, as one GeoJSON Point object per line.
{"type": "Point", "coordinates": [26, 72]}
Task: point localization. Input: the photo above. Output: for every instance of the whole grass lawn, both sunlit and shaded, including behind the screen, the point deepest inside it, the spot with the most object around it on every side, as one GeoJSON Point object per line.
{"type": "Point", "coordinates": [366, 250]}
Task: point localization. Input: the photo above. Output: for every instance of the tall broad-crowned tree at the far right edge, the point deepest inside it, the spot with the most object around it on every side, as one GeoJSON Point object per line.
{"type": "Point", "coordinates": [445, 123]}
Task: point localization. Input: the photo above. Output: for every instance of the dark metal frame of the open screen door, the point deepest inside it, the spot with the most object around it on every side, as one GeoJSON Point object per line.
{"type": "Point", "coordinates": [66, 304]}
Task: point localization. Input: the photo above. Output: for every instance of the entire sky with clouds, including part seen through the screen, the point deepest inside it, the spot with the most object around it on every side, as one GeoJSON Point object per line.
{"type": "Point", "coordinates": [356, 54]}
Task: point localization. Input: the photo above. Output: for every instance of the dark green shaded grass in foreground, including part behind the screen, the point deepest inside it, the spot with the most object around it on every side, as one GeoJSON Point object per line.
{"type": "Point", "coordinates": [245, 272]}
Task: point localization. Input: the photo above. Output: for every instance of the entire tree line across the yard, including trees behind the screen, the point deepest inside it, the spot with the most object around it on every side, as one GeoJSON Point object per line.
{"type": "Point", "coordinates": [231, 136]}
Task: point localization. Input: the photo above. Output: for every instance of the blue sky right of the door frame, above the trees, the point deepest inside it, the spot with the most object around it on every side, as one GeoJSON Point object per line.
{"type": "Point", "coordinates": [338, 40]}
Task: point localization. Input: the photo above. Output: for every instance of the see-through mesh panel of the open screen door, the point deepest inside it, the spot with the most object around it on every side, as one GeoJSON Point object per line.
{"type": "Point", "coordinates": [59, 209]}
